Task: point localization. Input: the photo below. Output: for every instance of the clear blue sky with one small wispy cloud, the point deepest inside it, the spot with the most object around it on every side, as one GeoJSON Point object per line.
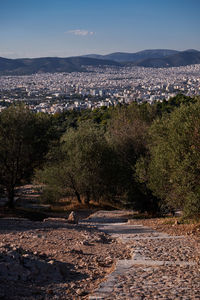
{"type": "Point", "coordinates": [38, 28]}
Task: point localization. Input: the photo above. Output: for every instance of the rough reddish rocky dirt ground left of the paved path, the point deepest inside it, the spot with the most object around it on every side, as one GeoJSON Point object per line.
{"type": "Point", "coordinates": [53, 259]}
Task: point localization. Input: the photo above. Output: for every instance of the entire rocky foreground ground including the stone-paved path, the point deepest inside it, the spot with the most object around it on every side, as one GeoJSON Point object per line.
{"type": "Point", "coordinates": [52, 259]}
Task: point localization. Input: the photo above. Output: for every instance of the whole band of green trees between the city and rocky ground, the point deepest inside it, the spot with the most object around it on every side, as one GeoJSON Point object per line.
{"type": "Point", "coordinates": [142, 156]}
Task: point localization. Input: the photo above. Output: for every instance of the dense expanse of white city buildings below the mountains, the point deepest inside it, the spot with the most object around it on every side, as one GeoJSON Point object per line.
{"type": "Point", "coordinates": [99, 86]}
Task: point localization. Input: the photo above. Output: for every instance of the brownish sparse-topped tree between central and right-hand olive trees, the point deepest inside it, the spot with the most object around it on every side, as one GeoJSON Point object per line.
{"type": "Point", "coordinates": [128, 133]}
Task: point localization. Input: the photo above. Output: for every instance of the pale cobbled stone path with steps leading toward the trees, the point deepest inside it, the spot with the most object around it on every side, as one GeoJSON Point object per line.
{"type": "Point", "coordinates": [161, 267]}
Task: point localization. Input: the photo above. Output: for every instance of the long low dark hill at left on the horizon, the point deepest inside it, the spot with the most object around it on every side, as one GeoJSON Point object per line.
{"type": "Point", "coordinates": [49, 65]}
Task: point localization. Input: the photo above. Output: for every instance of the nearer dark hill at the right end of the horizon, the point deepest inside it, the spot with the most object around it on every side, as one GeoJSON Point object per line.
{"type": "Point", "coordinates": [188, 57]}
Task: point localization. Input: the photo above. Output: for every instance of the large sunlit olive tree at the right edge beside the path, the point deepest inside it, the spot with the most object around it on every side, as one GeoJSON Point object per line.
{"type": "Point", "coordinates": [173, 173]}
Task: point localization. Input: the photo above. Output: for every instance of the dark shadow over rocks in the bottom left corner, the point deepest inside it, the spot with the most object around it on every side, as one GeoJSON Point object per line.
{"type": "Point", "coordinates": [27, 274]}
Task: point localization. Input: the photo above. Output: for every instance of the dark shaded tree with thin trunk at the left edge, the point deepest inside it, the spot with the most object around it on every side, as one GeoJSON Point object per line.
{"type": "Point", "coordinates": [21, 146]}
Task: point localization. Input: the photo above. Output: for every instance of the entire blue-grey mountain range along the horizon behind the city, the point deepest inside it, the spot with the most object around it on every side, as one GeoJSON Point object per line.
{"type": "Point", "coordinates": [158, 58]}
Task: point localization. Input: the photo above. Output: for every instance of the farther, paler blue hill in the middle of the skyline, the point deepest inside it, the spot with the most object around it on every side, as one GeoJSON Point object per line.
{"type": "Point", "coordinates": [133, 57]}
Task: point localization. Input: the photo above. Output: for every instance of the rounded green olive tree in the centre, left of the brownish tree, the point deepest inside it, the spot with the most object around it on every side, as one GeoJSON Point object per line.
{"type": "Point", "coordinates": [84, 166]}
